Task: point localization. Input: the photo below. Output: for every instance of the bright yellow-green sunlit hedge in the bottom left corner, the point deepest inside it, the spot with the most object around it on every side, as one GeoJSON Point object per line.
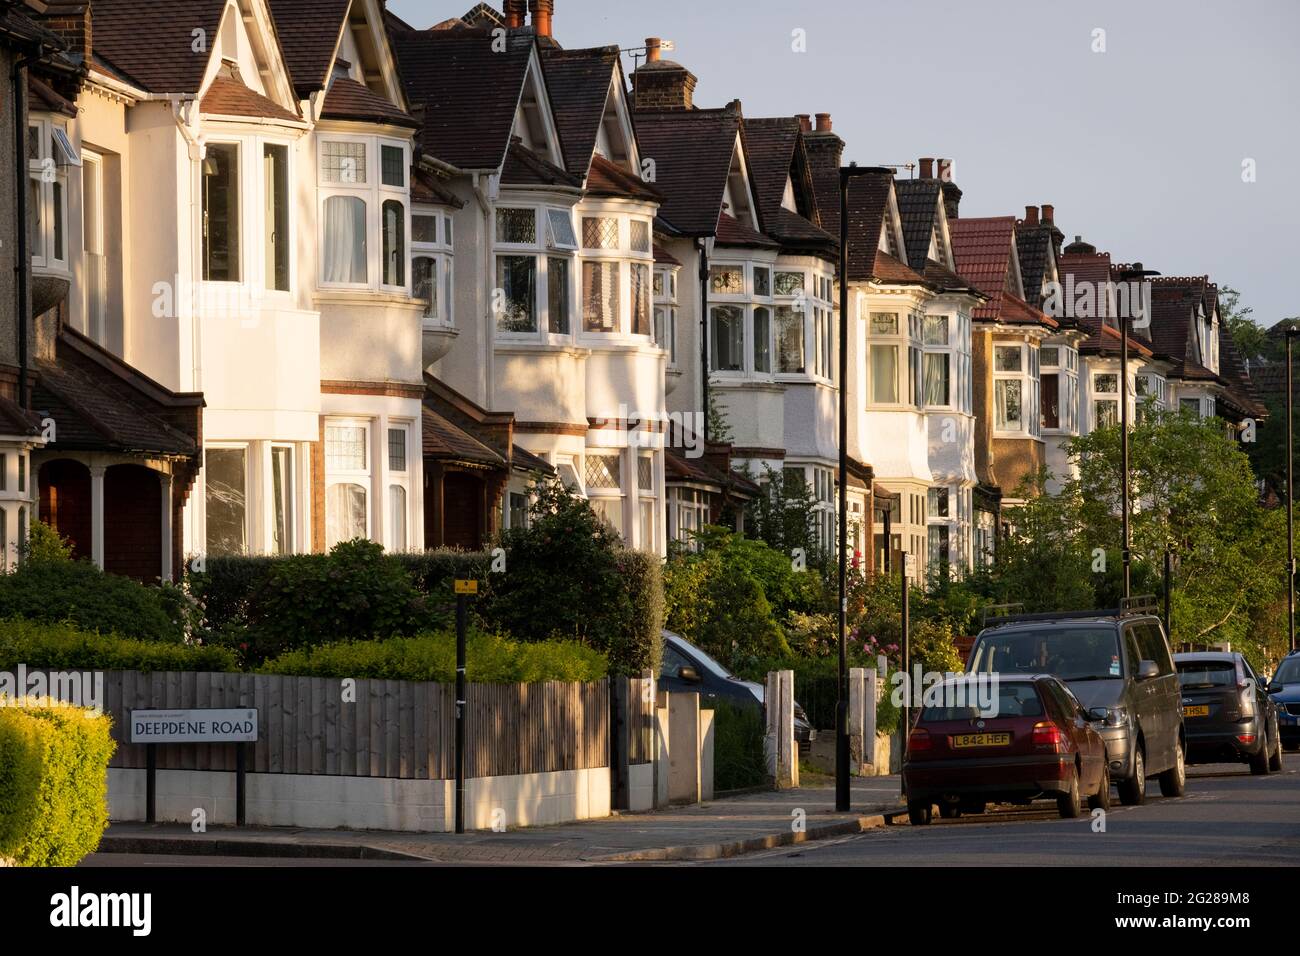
{"type": "Point", "coordinates": [54, 784]}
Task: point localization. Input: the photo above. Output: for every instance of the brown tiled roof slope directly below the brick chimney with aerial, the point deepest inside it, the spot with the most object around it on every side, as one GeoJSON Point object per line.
{"type": "Point", "coordinates": [692, 152]}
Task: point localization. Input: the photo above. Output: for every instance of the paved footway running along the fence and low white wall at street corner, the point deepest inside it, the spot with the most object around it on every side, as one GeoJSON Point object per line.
{"type": "Point", "coordinates": [716, 830]}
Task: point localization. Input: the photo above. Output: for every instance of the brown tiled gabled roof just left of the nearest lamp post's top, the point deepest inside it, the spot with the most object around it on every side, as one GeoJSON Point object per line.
{"type": "Point", "coordinates": [774, 149]}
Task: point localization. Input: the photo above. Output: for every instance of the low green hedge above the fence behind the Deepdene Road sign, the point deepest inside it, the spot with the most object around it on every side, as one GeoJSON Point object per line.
{"type": "Point", "coordinates": [63, 647]}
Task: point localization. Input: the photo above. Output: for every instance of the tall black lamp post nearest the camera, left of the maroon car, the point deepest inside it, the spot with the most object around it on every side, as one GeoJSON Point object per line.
{"type": "Point", "coordinates": [842, 707]}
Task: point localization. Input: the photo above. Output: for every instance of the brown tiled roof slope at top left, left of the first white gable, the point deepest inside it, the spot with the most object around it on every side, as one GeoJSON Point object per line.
{"type": "Point", "coordinates": [151, 44]}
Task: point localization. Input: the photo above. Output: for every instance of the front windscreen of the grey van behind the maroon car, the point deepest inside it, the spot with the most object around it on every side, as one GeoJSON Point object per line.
{"type": "Point", "coordinates": [1072, 654]}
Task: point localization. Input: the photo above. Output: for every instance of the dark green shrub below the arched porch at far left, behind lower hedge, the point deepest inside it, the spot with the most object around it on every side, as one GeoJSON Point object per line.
{"type": "Point", "coordinates": [58, 590]}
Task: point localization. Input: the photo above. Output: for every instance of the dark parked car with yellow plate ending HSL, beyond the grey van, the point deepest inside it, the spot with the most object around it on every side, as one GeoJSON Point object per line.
{"type": "Point", "coordinates": [1230, 717]}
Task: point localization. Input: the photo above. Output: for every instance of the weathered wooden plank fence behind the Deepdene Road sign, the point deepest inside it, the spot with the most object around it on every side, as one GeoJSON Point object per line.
{"type": "Point", "coordinates": [398, 729]}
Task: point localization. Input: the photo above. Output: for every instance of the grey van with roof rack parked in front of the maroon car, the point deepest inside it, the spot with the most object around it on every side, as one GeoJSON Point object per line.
{"type": "Point", "coordinates": [1120, 665]}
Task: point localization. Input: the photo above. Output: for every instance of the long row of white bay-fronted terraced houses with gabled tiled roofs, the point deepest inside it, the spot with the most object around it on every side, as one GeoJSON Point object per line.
{"type": "Point", "coordinates": [302, 272]}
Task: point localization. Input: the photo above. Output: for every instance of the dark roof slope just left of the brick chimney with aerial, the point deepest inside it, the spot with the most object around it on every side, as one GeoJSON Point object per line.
{"type": "Point", "coordinates": [579, 83]}
